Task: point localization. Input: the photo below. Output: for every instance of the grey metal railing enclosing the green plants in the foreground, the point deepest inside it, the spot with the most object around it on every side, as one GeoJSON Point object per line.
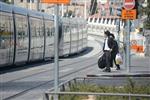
{"type": "Point", "coordinates": [49, 94]}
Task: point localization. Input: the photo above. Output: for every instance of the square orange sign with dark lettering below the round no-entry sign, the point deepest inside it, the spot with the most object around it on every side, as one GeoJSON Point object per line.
{"type": "Point", "coordinates": [129, 14]}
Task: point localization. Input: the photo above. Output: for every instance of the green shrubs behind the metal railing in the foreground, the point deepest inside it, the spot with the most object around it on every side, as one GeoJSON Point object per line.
{"type": "Point", "coordinates": [130, 87]}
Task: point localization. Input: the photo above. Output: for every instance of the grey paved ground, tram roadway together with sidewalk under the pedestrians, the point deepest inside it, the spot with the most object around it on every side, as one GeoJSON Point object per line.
{"type": "Point", "coordinates": [32, 82]}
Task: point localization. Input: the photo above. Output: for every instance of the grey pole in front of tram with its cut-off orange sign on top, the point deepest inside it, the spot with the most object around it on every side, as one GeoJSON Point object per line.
{"type": "Point", "coordinates": [56, 60]}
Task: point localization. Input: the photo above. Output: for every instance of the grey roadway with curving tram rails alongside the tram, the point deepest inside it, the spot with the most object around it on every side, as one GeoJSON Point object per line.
{"type": "Point", "coordinates": [30, 83]}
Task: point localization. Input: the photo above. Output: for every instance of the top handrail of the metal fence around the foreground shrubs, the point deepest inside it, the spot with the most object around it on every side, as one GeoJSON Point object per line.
{"type": "Point", "coordinates": [49, 94]}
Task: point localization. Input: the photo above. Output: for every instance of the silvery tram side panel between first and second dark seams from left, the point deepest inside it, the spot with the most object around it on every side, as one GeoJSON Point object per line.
{"type": "Point", "coordinates": [22, 38]}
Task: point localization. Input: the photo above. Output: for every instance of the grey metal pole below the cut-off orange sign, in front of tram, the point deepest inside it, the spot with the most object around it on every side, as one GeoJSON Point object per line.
{"type": "Point", "coordinates": [56, 72]}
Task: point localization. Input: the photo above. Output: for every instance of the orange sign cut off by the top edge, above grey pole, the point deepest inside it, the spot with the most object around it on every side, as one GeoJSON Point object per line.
{"type": "Point", "coordinates": [56, 1]}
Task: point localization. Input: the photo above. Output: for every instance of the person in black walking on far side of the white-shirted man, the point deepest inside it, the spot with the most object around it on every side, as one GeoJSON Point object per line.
{"type": "Point", "coordinates": [115, 50]}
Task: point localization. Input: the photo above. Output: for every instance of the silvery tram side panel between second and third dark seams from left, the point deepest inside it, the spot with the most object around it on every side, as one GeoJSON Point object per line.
{"type": "Point", "coordinates": [37, 39]}
